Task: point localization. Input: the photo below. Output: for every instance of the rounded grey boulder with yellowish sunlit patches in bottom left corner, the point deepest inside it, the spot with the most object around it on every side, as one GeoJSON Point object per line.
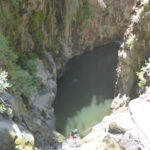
{"type": "Point", "coordinates": [13, 136]}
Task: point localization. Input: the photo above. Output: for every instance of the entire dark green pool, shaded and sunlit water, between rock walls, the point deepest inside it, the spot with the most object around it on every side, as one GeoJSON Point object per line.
{"type": "Point", "coordinates": [86, 89]}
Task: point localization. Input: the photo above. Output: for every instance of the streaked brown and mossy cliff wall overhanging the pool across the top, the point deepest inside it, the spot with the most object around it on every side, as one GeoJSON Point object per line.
{"type": "Point", "coordinates": [64, 28]}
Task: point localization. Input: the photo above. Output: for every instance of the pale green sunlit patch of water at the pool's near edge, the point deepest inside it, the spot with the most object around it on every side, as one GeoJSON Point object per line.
{"type": "Point", "coordinates": [88, 115]}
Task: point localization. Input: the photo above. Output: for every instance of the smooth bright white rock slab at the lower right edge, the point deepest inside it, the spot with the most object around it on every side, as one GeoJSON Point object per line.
{"type": "Point", "coordinates": [140, 110]}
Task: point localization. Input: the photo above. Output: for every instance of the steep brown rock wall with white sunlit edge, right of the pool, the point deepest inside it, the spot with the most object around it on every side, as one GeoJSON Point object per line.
{"type": "Point", "coordinates": [132, 54]}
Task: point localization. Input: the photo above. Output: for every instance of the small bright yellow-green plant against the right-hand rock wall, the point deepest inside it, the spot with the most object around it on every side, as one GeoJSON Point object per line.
{"type": "Point", "coordinates": [142, 80]}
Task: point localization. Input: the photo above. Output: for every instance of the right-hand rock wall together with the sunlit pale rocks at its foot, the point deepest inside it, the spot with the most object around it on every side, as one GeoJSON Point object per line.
{"type": "Point", "coordinates": [128, 126]}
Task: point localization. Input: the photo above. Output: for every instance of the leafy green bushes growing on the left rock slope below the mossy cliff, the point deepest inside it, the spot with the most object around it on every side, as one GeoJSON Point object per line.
{"type": "Point", "coordinates": [23, 78]}
